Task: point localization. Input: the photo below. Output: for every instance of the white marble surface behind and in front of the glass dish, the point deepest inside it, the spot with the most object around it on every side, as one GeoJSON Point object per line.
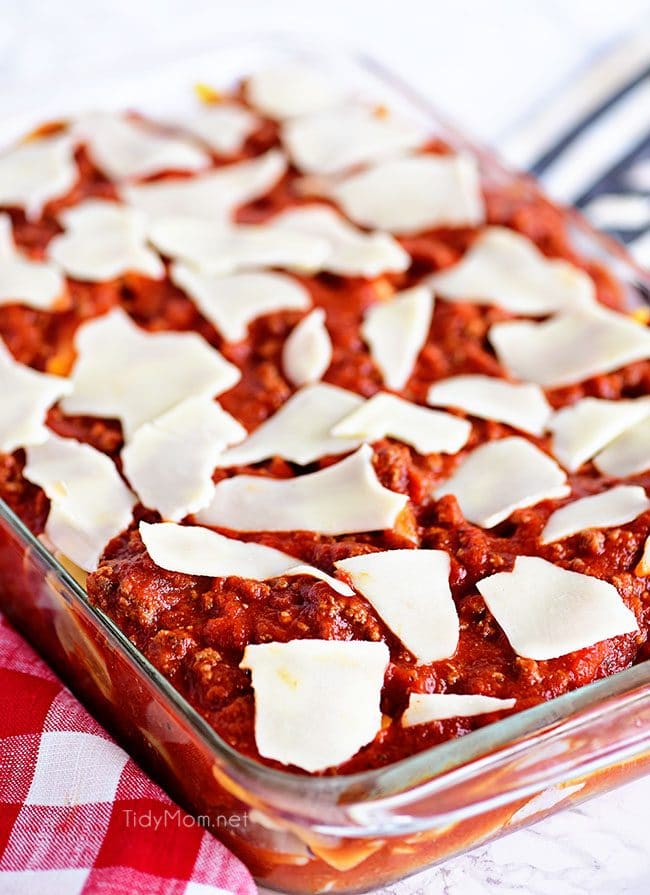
{"type": "Point", "coordinates": [486, 64]}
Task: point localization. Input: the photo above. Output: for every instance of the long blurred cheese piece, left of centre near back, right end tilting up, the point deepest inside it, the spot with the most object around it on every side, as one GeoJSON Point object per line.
{"type": "Point", "coordinates": [213, 196]}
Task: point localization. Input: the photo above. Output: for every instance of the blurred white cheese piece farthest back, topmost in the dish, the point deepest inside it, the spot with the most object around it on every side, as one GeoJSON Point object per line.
{"type": "Point", "coordinates": [287, 90]}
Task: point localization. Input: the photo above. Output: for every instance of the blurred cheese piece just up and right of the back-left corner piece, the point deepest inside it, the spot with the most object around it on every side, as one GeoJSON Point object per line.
{"type": "Point", "coordinates": [125, 148]}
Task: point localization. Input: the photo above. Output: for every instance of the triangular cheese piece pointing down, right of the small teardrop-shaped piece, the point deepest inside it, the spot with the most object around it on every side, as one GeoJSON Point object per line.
{"type": "Point", "coordinates": [396, 330]}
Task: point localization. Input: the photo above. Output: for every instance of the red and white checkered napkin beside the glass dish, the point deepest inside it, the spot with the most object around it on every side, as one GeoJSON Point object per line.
{"type": "Point", "coordinates": [77, 815]}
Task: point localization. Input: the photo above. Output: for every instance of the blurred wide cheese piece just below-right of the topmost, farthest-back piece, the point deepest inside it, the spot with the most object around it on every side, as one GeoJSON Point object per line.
{"type": "Point", "coordinates": [345, 136]}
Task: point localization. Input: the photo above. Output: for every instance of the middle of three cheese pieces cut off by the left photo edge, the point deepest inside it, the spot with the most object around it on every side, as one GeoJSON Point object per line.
{"type": "Point", "coordinates": [36, 284]}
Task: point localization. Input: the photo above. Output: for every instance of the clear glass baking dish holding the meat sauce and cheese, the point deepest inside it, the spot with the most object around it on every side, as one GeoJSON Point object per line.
{"type": "Point", "coordinates": [297, 833]}
